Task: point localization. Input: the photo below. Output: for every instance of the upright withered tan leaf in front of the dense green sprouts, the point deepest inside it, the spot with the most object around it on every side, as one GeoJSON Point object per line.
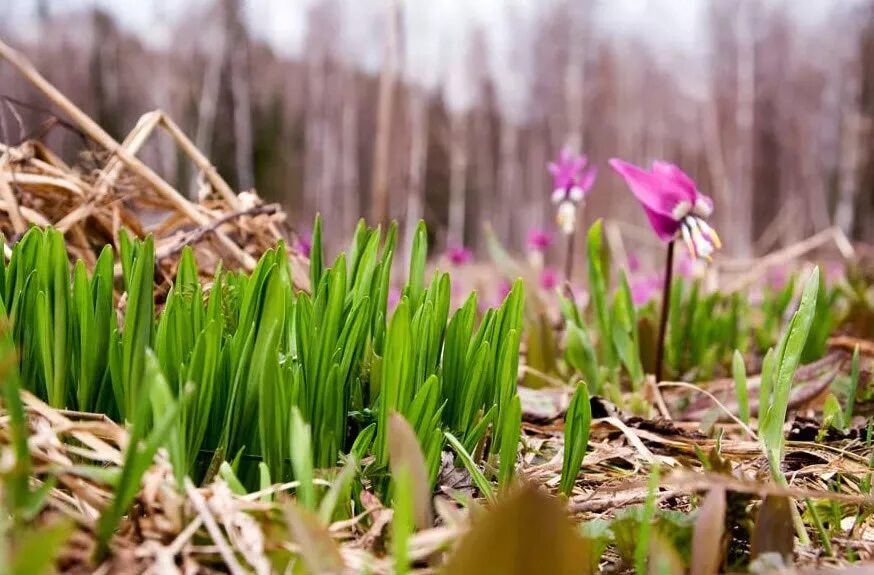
{"type": "Point", "coordinates": [404, 450]}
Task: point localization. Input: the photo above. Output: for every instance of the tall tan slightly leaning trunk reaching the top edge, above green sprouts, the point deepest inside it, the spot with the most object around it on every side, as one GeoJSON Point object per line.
{"type": "Point", "coordinates": [385, 111]}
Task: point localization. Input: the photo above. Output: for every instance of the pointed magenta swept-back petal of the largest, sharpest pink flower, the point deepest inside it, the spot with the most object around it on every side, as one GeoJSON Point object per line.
{"type": "Point", "coordinates": [657, 192]}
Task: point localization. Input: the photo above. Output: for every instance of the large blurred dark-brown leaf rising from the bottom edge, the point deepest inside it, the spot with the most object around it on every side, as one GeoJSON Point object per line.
{"type": "Point", "coordinates": [526, 532]}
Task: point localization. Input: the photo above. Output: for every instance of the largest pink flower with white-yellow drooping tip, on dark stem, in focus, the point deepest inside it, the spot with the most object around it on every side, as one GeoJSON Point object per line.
{"type": "Point", "coordinates": [673, 205]}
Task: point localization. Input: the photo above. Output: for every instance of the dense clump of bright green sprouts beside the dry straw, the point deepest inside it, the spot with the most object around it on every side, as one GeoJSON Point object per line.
{"type": "Point", "coordinates": [255, 381]}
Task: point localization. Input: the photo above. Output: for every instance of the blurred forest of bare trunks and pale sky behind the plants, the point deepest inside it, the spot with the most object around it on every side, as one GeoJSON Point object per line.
{"type": "Point", "coordinates": [450, 110]}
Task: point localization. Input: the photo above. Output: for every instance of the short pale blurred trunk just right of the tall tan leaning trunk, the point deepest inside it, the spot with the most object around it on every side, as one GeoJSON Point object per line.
{"type": "Point", "coordinates": [418, 99]}
